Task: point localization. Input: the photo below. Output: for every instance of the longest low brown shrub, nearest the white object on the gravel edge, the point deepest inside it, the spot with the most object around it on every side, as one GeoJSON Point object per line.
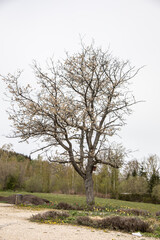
{"type": "Point", "coordinates": [116, 223]}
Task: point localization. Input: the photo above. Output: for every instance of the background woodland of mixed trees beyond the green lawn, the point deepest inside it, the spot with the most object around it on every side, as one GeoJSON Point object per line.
{"type": "Point", "coordinates": [136, 181]}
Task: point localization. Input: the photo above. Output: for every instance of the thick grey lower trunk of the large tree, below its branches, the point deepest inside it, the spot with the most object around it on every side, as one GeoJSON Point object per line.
{"type": "Point", "coordinates": [88, 181]}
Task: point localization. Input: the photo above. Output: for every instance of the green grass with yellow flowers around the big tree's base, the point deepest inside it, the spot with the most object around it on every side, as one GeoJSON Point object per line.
{"type": "Point", "coordinates": [111, 208]}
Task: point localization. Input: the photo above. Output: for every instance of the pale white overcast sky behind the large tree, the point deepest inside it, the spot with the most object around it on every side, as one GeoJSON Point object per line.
{"type": "Point", "coordinates": [39, 29]}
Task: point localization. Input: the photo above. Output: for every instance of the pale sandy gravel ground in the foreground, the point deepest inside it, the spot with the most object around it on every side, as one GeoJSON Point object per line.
{"type": "Point", "coordinates": [14, 225]}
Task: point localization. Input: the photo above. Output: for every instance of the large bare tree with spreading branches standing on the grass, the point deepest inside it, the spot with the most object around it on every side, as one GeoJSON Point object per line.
{"type": "Point", "coordinates": [78, 104]}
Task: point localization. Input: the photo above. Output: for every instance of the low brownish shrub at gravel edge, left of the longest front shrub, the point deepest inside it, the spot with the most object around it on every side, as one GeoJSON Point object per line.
{"type": "Point", "coordinates": [50, 215]}
